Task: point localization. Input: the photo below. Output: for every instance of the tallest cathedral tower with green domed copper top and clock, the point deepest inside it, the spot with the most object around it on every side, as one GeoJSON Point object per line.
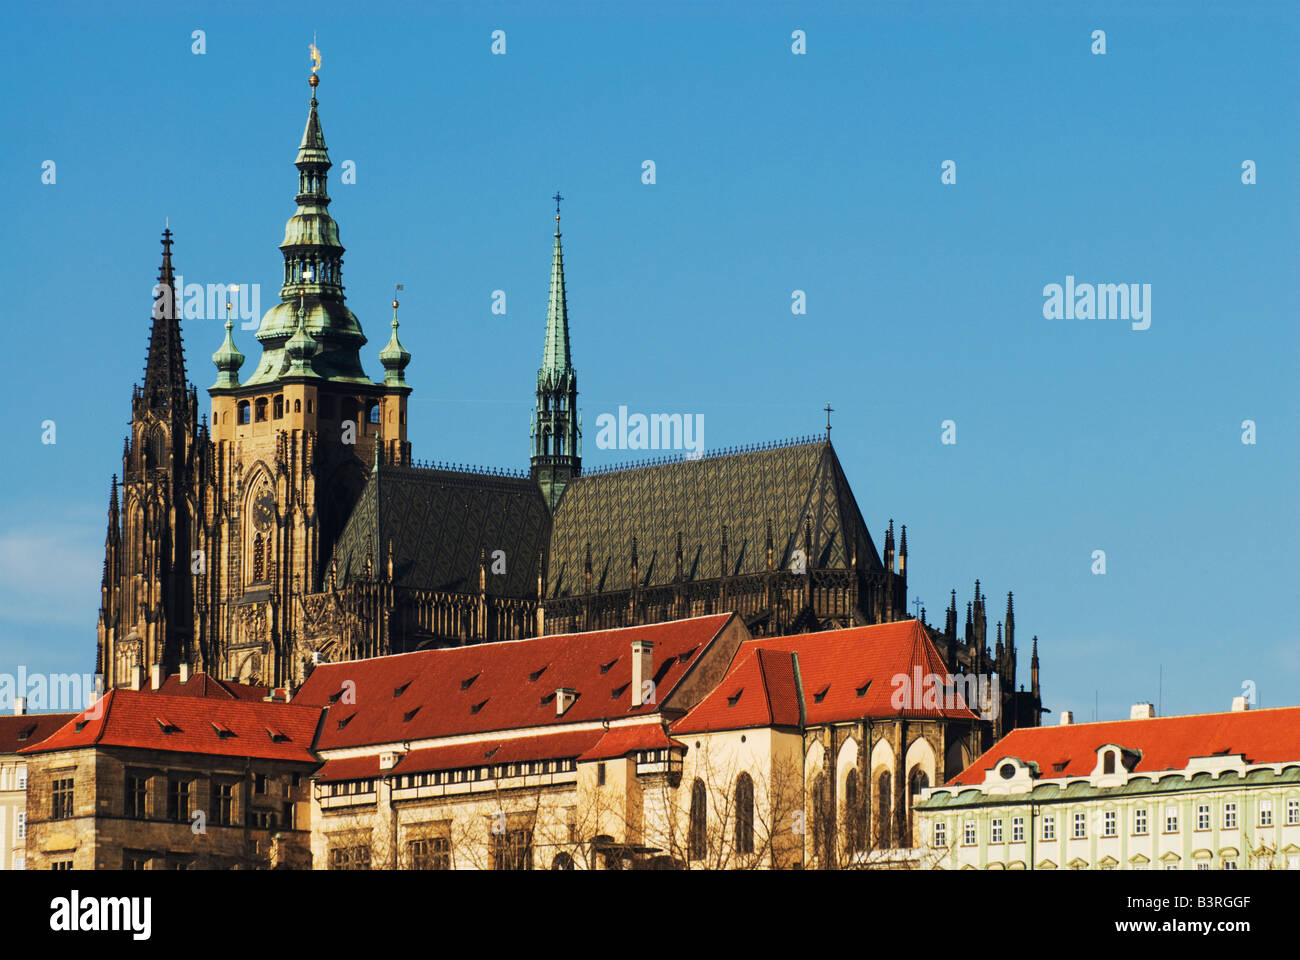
{"type": "Point", "coordinates": [294, 443]}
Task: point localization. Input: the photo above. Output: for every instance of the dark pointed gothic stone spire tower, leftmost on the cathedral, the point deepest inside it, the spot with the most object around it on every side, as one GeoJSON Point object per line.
{"type": "Point", "coordinates": [149, 589]}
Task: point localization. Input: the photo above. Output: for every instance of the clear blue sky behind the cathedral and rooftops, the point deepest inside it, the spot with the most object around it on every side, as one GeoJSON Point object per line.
{"type": "Point", "coordinates": [774, 174]}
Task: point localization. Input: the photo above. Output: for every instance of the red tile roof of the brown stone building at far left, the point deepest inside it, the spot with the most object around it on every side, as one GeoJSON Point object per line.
{"type": "Point", "coordinates": [192, 725]}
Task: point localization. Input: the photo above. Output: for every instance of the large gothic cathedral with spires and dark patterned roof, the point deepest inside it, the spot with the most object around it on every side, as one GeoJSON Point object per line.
{"type": "Point", "coordinates": [289, 526]}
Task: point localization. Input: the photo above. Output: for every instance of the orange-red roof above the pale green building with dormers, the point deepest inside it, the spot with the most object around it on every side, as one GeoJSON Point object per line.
{"type": "Point", "coordinates": [1167, 743]}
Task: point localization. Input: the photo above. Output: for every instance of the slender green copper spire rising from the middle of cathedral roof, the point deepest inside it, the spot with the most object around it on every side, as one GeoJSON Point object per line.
{"type": "Point", "coordinates": [557, 433]}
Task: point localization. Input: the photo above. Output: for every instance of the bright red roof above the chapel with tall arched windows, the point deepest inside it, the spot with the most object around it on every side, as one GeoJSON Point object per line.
{"type": "Point", "coordinates": [847, 674]}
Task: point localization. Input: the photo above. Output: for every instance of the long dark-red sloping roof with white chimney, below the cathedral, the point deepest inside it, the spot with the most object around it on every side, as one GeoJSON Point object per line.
{"type": "Point", "coordinates": [500, 686]}
